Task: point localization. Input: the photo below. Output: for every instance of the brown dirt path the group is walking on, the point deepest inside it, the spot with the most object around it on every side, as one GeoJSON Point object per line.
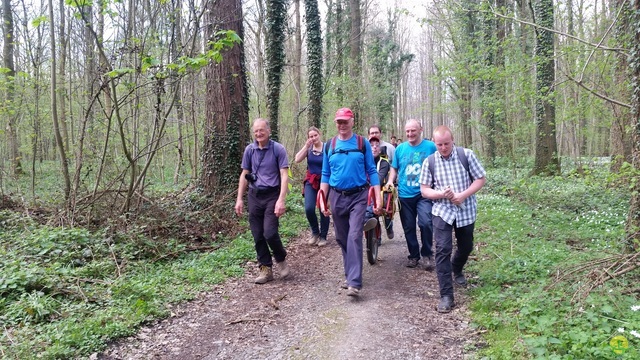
{"type": "Point", "coordinates": [308, 315]}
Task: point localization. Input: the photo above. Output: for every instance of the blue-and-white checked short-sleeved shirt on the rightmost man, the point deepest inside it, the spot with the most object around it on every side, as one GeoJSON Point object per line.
{"type": "Point", "coordinates": [451, 172]}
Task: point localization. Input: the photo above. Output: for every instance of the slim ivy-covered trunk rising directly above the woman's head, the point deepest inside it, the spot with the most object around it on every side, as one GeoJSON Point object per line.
{"type": "Point", "coordinates": [314, 62]}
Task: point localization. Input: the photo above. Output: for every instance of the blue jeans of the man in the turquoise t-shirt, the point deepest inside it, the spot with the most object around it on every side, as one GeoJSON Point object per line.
{"type": "Point", "coordinates": [419, 207]}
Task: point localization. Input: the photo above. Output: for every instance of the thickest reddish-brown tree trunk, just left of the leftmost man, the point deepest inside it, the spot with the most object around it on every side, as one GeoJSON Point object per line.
{"type": "Point", "coordinates": [226, 131]}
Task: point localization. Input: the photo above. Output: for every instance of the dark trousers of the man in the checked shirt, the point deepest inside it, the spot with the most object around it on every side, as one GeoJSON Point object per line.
{"type": "Point", "coordinates": [445, 264]}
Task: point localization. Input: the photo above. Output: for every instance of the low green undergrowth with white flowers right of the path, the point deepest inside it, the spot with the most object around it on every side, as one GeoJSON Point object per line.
{"type": "Point", "coordinates": [534, 234]}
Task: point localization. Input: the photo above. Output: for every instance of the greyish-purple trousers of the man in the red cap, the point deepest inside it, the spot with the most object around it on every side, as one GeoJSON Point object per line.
{"type": "Point", "coordinates": [348, 214]}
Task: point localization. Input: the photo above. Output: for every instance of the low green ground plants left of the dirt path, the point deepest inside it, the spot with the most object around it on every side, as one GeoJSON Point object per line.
{"type": "Point", "coordinates": [66, 292]}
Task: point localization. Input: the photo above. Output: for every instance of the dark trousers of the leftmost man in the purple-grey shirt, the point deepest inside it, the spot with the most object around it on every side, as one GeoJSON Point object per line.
{"type": "Point", "coordinates": [264, 226]}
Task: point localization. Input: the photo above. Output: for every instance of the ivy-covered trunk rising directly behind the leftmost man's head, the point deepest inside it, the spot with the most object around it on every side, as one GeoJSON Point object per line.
{"type": "Point", "coordinates": [276, 18]}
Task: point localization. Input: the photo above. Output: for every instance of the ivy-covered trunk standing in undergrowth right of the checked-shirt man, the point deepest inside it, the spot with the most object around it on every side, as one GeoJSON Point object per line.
{"type": "Point", "coordinates": [547, 161]}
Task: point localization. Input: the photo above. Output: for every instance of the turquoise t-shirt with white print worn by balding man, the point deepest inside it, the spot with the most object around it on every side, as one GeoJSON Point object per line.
{"type": "Point", "coordinates": [408, 164]}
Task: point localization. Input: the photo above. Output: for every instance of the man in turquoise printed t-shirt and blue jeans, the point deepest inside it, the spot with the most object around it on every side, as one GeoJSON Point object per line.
{"type": "Point", "coordinates": [407, 165]}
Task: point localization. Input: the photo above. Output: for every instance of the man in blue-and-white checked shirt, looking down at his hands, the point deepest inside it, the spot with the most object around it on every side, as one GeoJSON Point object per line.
{"type": "Point", "coordinates": [452, 189]}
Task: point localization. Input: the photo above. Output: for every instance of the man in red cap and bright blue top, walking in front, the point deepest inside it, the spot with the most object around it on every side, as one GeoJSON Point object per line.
{"type": "Point", "coordinates": [345, 169]}
